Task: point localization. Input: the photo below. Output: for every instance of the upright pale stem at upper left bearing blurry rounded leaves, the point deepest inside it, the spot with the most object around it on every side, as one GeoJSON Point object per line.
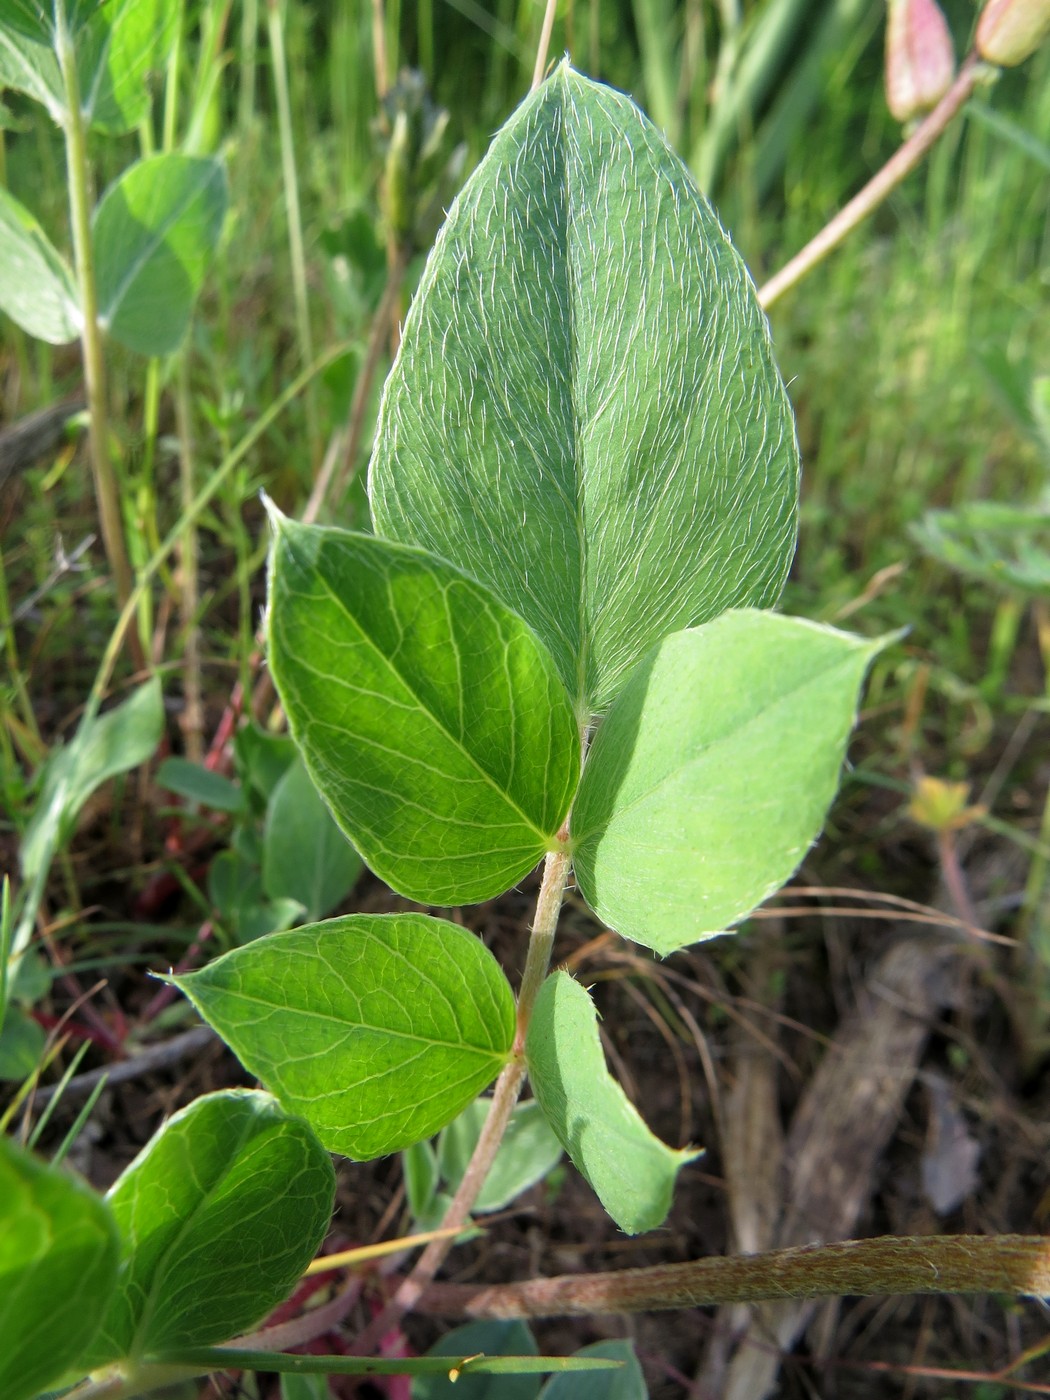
{"type": "Point", "coordinates": [90, 335]}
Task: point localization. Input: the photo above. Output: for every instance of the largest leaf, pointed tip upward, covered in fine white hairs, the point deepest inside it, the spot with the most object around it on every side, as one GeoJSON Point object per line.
{"type": "Point", "coordinates": [584, 412]}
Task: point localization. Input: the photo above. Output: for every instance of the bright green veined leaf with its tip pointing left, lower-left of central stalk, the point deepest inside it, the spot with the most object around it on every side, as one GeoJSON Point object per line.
{"type": "Point", "coordinates": [377, 1028]}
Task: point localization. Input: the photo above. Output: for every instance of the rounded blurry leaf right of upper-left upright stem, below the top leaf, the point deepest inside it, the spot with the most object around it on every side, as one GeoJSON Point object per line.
{"type": "Point", "coordinates": [156, 232]}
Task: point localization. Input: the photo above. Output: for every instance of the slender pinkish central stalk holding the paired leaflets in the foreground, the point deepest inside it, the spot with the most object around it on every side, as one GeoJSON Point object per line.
{"type": "Point", "coordinates": [505, 1097]}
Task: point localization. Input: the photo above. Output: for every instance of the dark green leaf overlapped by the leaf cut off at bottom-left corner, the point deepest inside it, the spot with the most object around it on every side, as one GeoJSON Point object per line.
{"type": "Point", "coordinates": [219, 1216]}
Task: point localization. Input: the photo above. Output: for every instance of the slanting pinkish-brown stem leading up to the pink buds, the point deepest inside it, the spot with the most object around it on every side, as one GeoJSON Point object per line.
{"type": "Point", "coordinates": [897, 169]}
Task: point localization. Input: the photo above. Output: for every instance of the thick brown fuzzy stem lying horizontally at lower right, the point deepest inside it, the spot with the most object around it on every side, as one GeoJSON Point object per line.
{"type": "Point", "coordinates": [1014, 1265]}
